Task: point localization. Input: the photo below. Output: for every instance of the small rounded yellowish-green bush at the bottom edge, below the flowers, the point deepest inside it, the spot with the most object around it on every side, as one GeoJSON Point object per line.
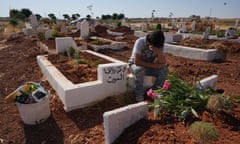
{"type": "Point", "coordinates": [203, 132]}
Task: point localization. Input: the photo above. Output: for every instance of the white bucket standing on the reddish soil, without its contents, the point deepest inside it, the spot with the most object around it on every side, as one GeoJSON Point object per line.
{"type": "Point", "coordinates": [35, 113]}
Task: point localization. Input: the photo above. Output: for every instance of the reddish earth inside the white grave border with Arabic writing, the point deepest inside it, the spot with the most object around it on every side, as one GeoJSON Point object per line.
{"type": "Point", "coordinates": [83, 69]}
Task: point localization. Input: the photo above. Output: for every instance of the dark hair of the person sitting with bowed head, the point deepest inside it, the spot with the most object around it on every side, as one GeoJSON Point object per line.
{"type": "Point", "coordinates": [156, 38]}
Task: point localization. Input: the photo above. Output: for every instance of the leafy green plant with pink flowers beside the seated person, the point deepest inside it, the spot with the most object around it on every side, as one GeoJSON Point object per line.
{"type": "Point", "coordinates": [179, 98]}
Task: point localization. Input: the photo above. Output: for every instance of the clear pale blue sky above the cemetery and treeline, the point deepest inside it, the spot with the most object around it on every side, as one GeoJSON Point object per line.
{"type": "Point", "coordinates": [130, 8]}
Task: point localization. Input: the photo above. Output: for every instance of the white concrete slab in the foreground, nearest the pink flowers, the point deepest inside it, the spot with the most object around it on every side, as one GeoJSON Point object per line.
{"type": "Point", "coordinates": [117, 120]}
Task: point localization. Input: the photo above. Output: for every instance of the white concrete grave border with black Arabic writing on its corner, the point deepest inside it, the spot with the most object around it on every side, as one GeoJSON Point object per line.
{"type": "Point", "coordinates": [111, 81]}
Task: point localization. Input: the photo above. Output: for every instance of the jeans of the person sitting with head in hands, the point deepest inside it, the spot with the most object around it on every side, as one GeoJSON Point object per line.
{"type": "Point", "coordinates": [138, 75]}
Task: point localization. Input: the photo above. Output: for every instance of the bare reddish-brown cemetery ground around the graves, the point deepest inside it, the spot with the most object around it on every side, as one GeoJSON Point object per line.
{"type": "Point", "coordinates": [18, 65]}
